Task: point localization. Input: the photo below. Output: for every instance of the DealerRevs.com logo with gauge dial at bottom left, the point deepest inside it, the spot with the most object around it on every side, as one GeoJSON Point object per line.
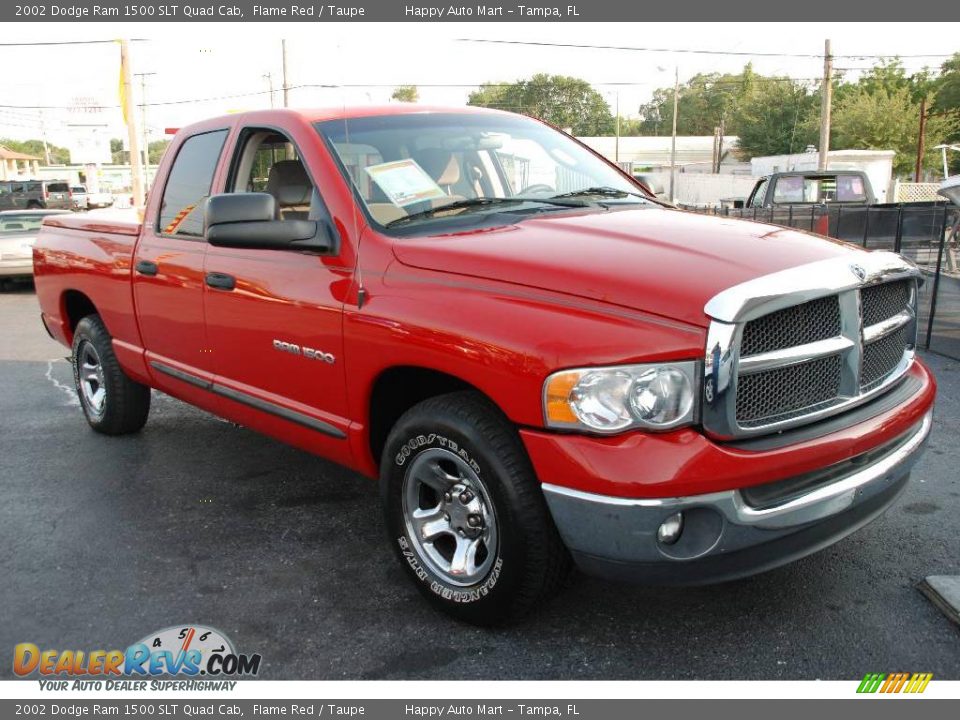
{"type": "Point", "coordinates": [185, 651]}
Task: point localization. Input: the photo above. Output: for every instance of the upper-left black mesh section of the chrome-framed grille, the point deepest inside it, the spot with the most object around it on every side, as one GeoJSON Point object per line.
{"type": "Point", "coordinates": [815, 320]}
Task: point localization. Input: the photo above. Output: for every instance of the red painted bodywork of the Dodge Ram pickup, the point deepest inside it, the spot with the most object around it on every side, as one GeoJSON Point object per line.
{"type": "Point", "coordinates": [499, 309]}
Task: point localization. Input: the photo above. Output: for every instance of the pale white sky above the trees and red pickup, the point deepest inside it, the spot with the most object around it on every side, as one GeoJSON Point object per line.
{"type": "Point", "coordinates": [206, 69]}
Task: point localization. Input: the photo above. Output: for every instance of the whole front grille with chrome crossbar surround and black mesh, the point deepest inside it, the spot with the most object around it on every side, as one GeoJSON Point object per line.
{"type": "Point", "coordinates": [856, 328]}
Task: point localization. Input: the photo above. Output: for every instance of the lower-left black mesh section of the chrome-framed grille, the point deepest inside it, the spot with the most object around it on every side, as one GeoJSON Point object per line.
{"type": "Point", "coordinates": [779, 394]}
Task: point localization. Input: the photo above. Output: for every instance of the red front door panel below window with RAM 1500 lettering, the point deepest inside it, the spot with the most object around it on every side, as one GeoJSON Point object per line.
{"type": "Point", "coordinates": [277, 342]}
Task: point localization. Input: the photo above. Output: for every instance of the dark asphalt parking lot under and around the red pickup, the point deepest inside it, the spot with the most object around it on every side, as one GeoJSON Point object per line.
{"type": "Point", "coordinates": [197, 521]}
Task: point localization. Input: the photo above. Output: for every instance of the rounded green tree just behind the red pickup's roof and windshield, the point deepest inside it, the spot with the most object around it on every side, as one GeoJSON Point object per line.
{"type": "Point", "coordinates": [566, 102]}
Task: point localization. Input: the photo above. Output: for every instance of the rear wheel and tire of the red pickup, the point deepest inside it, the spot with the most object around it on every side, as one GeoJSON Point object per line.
{"type": "Point", "coordinates": [124, 403]}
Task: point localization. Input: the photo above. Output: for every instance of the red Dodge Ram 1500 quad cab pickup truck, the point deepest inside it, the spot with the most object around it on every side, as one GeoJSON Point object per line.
{"type": "Point", "coordinates": [540, 362]}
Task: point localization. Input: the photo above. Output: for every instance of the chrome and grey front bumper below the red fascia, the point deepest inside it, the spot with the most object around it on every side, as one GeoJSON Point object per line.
{"type": "Point", "coordinates": [724, 535]}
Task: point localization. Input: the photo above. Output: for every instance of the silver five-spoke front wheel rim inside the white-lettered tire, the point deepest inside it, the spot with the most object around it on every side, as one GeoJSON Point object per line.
{"type": "Point", "coordinates": [449, 517]}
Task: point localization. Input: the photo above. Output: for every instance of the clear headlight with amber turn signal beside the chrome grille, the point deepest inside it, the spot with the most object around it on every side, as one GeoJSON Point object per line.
{"type": "Point", "coordinates": [659, 396]}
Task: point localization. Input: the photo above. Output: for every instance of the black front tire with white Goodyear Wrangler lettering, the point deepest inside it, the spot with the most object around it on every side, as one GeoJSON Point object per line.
{"type": "Point", "coordinates": [529, 561]}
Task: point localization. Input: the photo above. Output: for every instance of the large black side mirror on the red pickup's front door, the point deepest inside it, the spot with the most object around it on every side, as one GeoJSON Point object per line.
{"type": "Point", "coordinates": [248, 221]}
